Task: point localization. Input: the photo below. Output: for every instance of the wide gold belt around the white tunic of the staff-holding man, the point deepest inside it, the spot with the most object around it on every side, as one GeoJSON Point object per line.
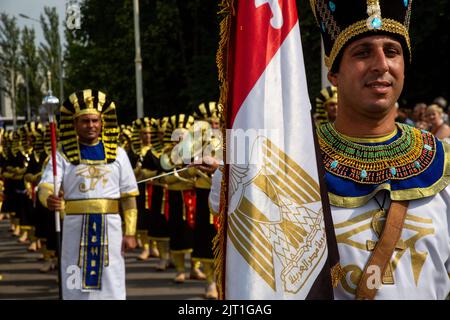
{"type": "Point", "coordinates": [91, 206]}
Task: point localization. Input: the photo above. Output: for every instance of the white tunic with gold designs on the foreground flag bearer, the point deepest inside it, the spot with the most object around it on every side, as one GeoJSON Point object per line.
{"type": "Point", "coordinates": [421, 270]}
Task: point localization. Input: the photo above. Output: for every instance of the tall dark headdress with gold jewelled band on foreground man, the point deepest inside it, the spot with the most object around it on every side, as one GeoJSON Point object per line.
{"type": "Point", "coordinates": [342, 21]}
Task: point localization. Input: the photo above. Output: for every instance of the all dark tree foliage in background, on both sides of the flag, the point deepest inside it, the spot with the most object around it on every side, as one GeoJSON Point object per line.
{"type": "Point", "coordinates": [179, 40]}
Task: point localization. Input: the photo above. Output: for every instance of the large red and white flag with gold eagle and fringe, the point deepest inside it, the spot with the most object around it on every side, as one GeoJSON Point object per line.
{"type": "Point", "coordinates": [273, 242]}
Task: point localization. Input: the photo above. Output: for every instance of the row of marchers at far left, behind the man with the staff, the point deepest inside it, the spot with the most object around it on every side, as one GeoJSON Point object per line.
{"type": "Point", "coordinates": [23, 154]}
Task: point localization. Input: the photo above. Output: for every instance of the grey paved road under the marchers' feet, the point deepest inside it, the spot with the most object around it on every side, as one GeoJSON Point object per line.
{"type": "Point", "coordinates": [21, 278]}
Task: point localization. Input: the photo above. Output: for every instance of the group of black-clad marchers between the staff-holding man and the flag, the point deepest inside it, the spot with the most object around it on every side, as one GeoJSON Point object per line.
{"type": "Point", "coordinates": [174, 219]}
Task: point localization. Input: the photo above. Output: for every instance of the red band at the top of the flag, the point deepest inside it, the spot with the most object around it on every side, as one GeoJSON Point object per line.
{"type": "Point", "coordinates": [256, 42]}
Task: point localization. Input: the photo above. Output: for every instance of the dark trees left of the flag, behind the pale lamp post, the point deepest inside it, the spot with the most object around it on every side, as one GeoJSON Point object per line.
{"type": "Point", "coordinates": [178, 44]}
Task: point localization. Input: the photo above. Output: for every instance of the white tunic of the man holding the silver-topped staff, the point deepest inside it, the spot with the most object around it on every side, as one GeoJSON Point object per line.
{"type": "Point", "coordinates": [102, 181]}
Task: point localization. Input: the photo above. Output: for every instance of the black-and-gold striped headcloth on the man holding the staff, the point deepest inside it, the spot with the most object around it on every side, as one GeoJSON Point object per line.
{"type": "Point", "coordinates": [88, 102]}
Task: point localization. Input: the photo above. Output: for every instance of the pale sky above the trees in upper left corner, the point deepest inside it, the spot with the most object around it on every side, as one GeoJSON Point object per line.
{"type": "Point", "coordinates": [33, 9]}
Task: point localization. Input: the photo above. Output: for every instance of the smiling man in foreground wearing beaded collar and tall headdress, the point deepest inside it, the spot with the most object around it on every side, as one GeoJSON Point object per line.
{"type": "Point", "coordinates": [387, 182]}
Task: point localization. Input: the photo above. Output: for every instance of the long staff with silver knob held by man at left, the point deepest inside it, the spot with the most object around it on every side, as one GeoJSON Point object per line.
{"type": "Point", "coordinates": [51, 102]}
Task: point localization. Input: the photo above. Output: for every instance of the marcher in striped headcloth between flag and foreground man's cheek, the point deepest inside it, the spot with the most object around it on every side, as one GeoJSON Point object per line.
{"type": "Point", "coordinates": [326, 106]}
